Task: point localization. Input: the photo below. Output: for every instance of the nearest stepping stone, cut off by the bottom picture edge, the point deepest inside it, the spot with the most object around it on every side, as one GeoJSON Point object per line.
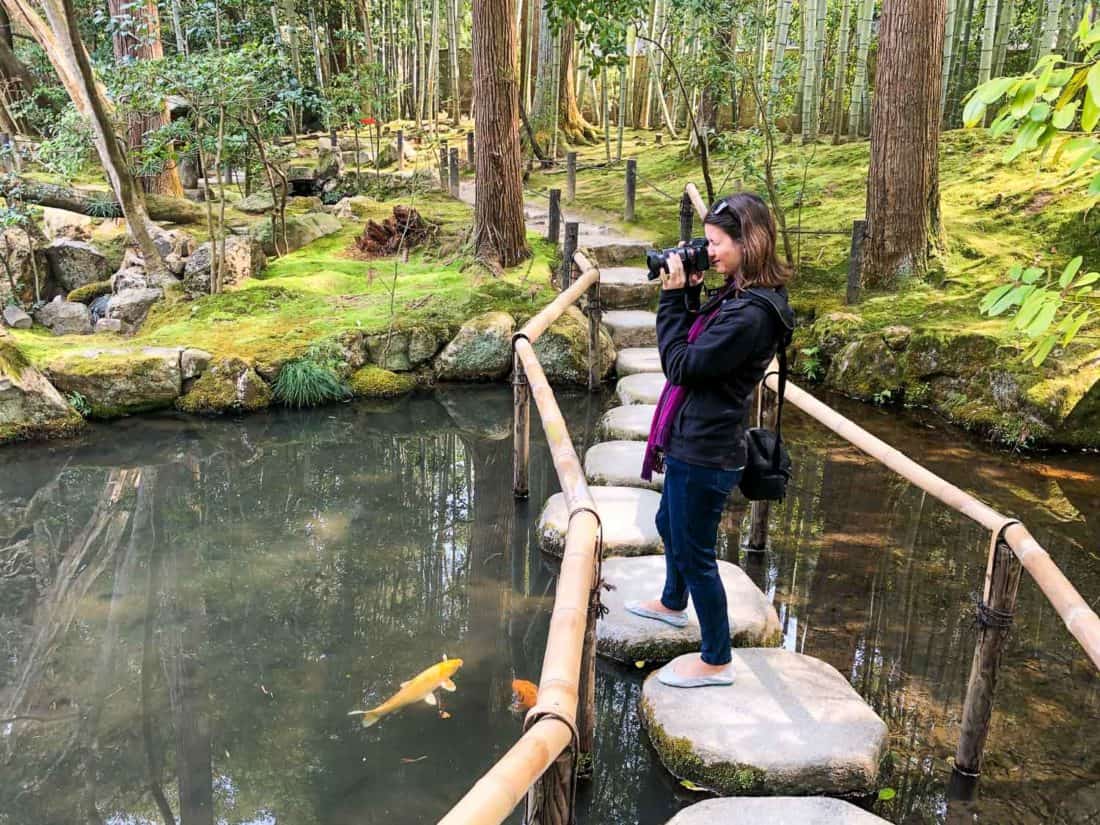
{"type": "Point", "coordinates": [776, 811]}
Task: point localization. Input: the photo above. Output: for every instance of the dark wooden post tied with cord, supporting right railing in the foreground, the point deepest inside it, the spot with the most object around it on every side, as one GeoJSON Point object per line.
{"type": "Point", "coordinates": [996, 613]}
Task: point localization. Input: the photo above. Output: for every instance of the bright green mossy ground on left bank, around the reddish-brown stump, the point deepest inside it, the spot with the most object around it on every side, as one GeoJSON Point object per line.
{"type": "Point", "coordinates": [328, 289]}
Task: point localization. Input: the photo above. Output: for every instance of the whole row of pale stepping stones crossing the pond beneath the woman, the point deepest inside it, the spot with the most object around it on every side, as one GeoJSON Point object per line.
{"type": "Point", "coordinates": [791, 729]}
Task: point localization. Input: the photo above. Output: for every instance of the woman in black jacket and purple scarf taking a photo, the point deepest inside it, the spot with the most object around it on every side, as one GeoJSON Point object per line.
{"type": "Point", "coordinates": [713, 356]}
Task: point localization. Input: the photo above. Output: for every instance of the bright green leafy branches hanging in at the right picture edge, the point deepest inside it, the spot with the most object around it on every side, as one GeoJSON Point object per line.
{"type": "Point", "coordinates": [1039, 106]}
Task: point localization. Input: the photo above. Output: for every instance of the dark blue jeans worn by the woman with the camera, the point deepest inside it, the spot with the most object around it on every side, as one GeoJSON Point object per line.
{"type": "Point", "coordinates": [688, 521]}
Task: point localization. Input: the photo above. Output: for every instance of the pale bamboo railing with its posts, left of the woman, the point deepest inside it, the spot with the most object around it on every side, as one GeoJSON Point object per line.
{"type": "Point", "coordinates": [543, 765]}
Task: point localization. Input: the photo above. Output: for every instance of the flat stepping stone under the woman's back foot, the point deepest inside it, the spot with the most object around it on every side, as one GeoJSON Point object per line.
{"type": "Point", "coordinates": [628, 639]}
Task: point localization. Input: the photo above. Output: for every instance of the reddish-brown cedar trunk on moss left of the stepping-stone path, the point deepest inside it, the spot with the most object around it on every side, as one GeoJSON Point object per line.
{"type": "Point", "coordinates": [500, 235]}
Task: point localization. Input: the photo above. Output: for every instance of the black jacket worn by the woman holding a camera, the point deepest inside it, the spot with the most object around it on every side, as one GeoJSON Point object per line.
{"type": "Point", "coordinates": [720, 369]}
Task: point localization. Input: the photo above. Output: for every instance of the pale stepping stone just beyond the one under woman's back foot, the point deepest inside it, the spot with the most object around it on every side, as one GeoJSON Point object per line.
{"type": "Point", "coordinates": [628, 514]}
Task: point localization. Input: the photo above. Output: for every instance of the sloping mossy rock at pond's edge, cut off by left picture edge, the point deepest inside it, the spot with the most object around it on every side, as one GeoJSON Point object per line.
{"type": "Point", "coordinates": [30, 406]}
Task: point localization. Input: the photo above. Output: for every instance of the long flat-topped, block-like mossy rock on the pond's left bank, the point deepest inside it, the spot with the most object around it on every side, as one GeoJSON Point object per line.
{"type": "Point", "coordinates": [118, 382]}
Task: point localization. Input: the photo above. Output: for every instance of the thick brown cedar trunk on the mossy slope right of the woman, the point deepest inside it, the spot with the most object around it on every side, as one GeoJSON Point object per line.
{"type": "Point", "coordinates": [903, 189]}
